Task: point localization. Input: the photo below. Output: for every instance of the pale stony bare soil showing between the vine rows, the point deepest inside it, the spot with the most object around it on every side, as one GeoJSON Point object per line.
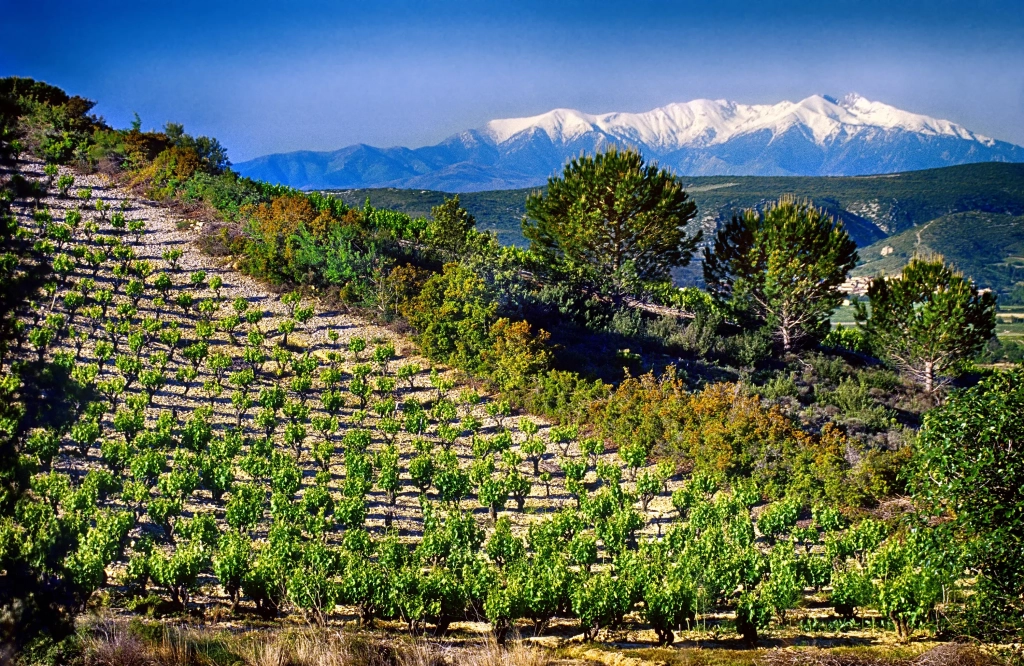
{"type": "Point", "coordinates": [166, 231]}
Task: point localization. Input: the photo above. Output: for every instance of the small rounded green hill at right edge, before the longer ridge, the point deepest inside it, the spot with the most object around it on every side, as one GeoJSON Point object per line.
{"type": "Point", "coordinates": [990, 247]}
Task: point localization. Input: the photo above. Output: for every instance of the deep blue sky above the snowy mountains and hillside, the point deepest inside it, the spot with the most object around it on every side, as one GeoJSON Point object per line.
{"type": "Point", "coordinates": [268, 77]}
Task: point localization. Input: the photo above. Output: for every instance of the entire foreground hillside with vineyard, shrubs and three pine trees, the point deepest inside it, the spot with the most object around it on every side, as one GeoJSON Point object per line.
{"type": "Point", "coordinates": [355, 436]}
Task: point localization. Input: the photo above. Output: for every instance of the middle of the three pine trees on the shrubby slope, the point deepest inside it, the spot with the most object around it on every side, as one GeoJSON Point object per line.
{"type": "Point", "coordinates": [781, 269]}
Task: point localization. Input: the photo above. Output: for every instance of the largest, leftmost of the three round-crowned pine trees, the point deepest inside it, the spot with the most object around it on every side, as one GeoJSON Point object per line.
{"type": "Point", "coordinates": [612, 222]}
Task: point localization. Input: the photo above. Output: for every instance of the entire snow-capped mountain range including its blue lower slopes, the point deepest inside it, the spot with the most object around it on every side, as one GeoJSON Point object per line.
{"type": "Point", "coordinates": [820, 136]}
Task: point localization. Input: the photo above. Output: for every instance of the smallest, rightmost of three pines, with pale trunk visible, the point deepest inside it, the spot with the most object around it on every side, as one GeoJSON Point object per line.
{"type": "Point", "coordinates": [928, 320]}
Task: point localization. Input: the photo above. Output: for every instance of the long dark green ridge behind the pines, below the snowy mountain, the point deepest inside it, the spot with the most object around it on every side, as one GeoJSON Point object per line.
{"type": "Point", "coordinates": [872, 207]}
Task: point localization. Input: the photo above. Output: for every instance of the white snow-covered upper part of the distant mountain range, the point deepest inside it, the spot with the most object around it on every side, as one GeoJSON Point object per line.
{"type": "Point", "coordinates": [707, 122]}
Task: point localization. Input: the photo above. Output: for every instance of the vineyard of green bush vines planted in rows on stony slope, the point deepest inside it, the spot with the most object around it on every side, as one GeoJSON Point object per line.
{"type": "Point", "coordinates": [231, 449]}
